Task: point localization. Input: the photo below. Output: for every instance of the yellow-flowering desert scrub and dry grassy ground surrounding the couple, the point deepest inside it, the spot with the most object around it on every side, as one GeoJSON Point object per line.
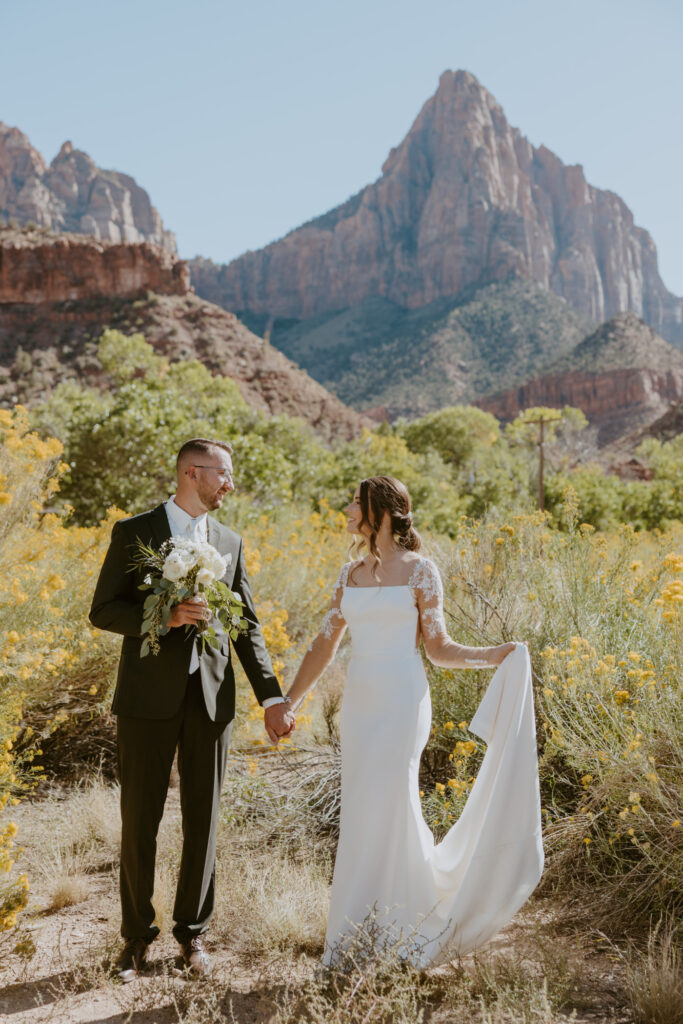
{"type": "Point", "coordinates": [602, 615]}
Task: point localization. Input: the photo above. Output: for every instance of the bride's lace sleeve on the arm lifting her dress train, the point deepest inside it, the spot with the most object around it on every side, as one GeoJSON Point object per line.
{"type": "Point", "coordinates": [426, 584]}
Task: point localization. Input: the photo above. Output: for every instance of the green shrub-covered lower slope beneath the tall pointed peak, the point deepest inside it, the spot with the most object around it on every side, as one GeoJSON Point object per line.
{"type": "Point", "coordinates": [415, 361]}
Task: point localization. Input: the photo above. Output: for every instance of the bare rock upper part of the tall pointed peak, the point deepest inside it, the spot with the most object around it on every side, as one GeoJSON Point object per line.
{"type": "Point", "coordinates": [464, 201]}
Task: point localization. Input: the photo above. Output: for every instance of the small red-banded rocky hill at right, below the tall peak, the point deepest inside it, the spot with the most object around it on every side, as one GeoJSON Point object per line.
{"type": "Point", "coordinates": [623, 377]}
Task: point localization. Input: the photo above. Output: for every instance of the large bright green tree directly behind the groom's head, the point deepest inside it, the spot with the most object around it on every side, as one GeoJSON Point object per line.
{"type": "Point", "coordinates": [121, 444]}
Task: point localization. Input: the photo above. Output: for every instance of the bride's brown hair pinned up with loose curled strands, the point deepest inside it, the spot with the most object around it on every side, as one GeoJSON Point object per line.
{"type": "Point", "coordinates": [380, 495]}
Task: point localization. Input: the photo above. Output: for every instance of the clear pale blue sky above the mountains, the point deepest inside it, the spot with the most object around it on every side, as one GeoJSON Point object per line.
{"type": "Point", "coordinates": [243, 120]}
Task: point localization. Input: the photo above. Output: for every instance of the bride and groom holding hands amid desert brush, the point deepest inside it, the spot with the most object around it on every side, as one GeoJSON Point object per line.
{"type": "Point", "coordinates": [435, 901]}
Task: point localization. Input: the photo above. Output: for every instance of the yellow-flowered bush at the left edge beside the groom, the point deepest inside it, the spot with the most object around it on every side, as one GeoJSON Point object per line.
{"type": "Point", "coordinates": [51, 660]}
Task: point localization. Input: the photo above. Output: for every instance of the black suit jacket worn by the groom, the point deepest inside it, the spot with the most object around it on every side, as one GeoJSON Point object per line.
{"type": "Point", "coordinates": [155, 687]}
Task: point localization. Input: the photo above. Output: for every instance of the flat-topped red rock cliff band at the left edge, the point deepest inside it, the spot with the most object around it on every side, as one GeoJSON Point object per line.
{"type": "Point", "coordinates": [36, 268]}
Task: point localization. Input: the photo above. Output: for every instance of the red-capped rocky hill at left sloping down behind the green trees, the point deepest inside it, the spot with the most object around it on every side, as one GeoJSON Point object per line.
{"type": "Point", "coordinates": [52, 334]}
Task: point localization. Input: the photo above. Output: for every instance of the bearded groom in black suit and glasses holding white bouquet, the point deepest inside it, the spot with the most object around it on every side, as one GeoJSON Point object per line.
{"type": "Point", "coordinates": [180, 699]}
